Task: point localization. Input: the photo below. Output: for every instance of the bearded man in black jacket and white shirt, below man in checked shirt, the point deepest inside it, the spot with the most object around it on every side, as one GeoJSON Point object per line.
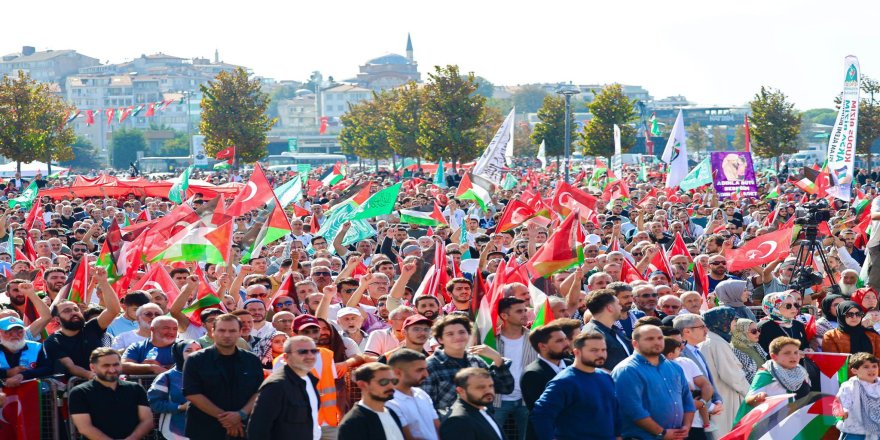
{"type": "Point", "coordinates": [468, 419]}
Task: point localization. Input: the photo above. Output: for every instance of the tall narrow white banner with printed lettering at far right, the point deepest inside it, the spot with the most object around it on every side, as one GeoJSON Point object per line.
{"type": "Point", "coordinates": [842, 143]}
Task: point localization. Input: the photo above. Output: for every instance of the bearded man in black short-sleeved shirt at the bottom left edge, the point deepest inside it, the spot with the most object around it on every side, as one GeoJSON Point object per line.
{"type": "Point", "coordinates": [106, 407]}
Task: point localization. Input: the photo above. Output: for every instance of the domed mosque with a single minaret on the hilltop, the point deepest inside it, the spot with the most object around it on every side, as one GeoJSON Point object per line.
{"type": "Point", "coordinates": [389, 71]}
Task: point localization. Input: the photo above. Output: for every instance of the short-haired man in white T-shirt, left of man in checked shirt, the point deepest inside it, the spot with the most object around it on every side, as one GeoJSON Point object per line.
{"type": "Point", "coordinates": [412, 405]}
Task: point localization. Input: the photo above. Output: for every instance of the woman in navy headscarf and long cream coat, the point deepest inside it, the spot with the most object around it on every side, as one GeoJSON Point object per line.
{"type": "Point", "coordinates": [727, 373]}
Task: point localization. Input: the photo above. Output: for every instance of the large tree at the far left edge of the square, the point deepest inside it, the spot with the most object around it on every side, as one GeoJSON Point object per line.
{"type": "Point", "coordinates": [33, 121]}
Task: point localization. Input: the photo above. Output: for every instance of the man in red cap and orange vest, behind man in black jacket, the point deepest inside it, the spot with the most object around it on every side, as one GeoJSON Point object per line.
{"type": "Point", "coordinates": [329, 413]}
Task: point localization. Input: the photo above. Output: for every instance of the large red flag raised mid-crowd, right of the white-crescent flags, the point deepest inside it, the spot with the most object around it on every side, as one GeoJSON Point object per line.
{"type": "Point", "coordinates": [563, 249]}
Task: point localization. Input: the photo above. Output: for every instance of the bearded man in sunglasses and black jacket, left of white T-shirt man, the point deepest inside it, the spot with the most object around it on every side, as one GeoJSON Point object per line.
{"type": "Point", "coordinates": [369, 419]}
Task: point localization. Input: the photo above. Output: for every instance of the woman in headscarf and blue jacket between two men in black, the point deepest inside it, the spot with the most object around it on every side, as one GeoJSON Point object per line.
{"type": "Point", "coordinates": [166, 392]}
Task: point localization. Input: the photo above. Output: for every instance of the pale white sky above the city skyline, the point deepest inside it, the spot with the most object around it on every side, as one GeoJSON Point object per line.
{"type": "Point", "coordinates": [713, 53]}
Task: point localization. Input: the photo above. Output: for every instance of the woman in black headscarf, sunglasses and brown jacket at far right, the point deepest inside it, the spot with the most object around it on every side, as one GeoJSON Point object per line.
{"type": "Point", "coordinates": [850, 336]}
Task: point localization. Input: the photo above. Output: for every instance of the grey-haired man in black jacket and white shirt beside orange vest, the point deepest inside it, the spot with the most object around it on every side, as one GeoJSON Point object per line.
{"type": "Point", "coordinates": [289, 397]}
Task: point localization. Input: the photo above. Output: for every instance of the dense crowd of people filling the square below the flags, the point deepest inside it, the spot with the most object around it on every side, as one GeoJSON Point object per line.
{"type": "Point", "coordinates": [355, 349]}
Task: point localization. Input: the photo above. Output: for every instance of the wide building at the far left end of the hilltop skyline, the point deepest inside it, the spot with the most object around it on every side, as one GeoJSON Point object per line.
{"type": "Point", "coordinates": [49, 66]}
